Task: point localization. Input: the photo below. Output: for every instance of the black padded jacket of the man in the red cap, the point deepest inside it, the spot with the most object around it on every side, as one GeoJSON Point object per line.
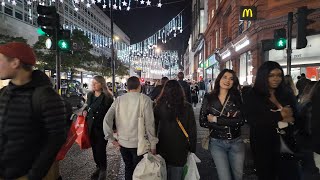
{"type": "Point", "coordinates": [28, 146]}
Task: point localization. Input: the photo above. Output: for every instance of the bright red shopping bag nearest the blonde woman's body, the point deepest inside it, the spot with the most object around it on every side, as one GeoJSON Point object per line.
{"type": "Point", "coordinates": [82, 133]}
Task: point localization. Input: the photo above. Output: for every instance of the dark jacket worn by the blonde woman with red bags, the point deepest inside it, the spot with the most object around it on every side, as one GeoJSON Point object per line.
{"type": "Point", "coordinates": [97, 108]}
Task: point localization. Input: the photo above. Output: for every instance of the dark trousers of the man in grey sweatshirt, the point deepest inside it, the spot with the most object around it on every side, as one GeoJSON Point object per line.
{"type": "Point", "coordinates": [131, 159]}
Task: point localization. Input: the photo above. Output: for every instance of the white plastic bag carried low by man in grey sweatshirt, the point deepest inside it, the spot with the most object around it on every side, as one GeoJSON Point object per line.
{"type": "Point", "coordinates": [151, 167]}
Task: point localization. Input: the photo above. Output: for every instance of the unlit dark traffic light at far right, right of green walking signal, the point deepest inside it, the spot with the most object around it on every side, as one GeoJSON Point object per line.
{"type": "Point", "coordinates": [302, 23]}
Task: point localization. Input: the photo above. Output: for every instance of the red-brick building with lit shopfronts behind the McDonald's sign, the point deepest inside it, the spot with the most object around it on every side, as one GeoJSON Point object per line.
{"type": "Point", "coordinates": [239, 44]}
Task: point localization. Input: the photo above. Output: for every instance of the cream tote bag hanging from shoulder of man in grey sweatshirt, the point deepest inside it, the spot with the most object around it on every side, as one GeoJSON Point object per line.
{"type": "Point", "coordinates": [144, 145]}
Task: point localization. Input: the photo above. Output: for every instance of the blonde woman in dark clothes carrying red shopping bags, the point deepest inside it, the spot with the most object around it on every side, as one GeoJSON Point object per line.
{"type": "Point", "coordinates": [99, 100]}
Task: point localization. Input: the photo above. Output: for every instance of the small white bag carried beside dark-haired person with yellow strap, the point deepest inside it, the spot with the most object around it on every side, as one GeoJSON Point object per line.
{"type": "Point", "coordinates": [190, 169]}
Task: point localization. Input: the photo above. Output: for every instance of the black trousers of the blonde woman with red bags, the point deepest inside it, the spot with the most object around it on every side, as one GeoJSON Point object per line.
{"type": "Point", "coordinates": [99, 145]}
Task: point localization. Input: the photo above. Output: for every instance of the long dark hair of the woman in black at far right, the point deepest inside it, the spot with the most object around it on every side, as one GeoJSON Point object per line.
{"type": "Point", "coordinates": [261, 85]}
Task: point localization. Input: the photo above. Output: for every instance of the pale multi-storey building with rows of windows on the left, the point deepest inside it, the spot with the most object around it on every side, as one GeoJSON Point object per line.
{"type": "Point", "coordinates": [21, 20]}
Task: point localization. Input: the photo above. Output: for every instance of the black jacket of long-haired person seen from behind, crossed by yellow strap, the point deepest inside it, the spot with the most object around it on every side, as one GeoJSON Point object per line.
{"type": "Point", "coordinates": [173, 145]}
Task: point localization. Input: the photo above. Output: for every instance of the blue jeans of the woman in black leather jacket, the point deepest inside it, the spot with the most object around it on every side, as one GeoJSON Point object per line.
{"type": "Point", "coordinates": [228, 156]}
